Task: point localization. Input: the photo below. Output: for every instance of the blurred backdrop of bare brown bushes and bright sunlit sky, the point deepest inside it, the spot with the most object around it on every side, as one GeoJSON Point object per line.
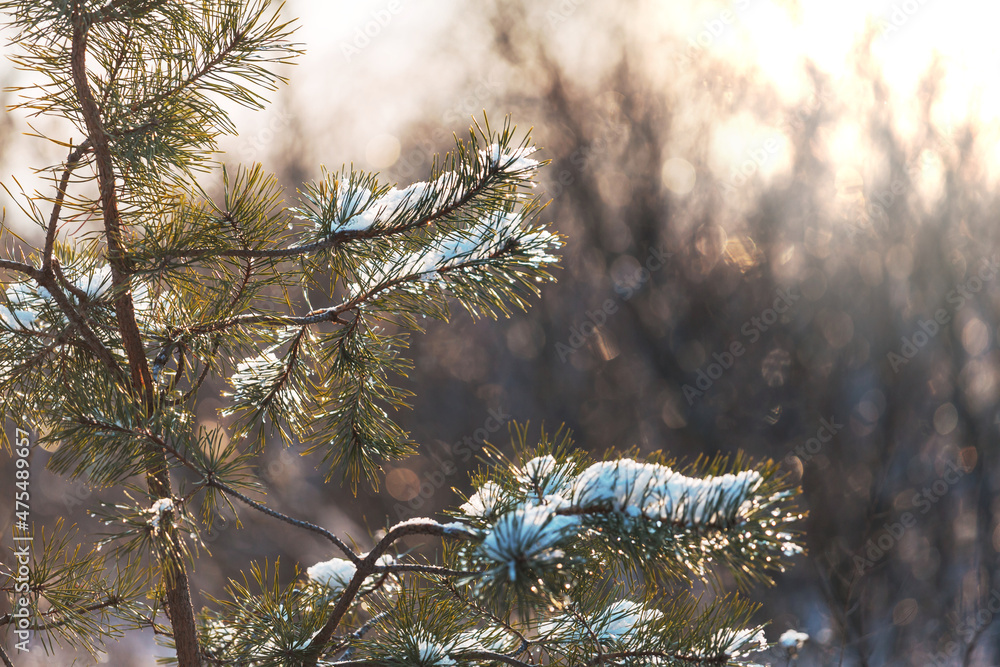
{"type": "Point", "coordinates": [781, 239]}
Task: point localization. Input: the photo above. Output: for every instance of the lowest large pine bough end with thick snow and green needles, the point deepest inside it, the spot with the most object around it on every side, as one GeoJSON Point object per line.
{"type": "Point", "coordinates": [549, 517]}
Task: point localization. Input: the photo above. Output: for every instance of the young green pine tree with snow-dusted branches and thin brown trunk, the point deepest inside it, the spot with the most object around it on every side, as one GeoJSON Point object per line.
{"type": "Point", "coordinates": [107, 339]}
